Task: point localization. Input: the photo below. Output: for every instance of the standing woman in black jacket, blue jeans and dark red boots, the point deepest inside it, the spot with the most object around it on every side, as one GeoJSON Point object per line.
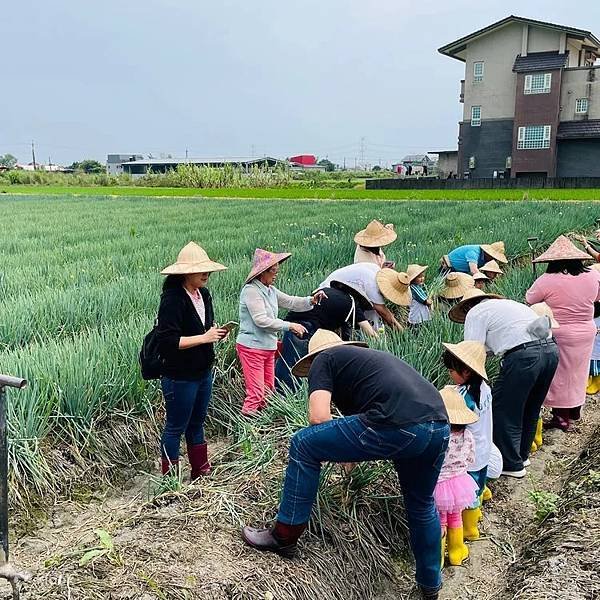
{"type": "Point", "coordinates": [186, 334]}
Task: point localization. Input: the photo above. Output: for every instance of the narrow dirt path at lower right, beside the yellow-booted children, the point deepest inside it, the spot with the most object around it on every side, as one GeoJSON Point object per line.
{"type": "Point", "coordinates": [511, 513]}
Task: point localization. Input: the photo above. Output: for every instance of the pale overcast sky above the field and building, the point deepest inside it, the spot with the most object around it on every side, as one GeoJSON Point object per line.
{"type": "Point", "coordinates": [84, 78]}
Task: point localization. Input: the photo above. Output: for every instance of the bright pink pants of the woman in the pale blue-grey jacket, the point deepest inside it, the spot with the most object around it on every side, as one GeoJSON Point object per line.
{"type": "Point", "coordinates": [258, 367]}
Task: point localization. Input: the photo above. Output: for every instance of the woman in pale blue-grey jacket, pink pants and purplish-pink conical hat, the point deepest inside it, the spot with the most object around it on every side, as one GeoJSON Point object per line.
{"type": "Point", "coordinates": [256, 343]}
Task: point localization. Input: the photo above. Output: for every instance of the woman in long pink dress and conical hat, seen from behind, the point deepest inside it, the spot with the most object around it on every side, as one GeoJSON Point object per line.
{"type": "Point", "coordinates": [570, 289]}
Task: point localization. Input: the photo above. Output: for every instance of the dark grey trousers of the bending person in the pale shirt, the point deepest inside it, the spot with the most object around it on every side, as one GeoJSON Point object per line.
{"type": "Point", "coordinates": [517, 398]}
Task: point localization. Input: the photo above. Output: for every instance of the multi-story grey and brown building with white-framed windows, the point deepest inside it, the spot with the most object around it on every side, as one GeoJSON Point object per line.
{"type": "Point", "coordinates": [531, 97]}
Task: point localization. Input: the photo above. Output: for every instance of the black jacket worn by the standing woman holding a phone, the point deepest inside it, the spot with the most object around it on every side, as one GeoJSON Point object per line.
{"type": "Point", "coordinates": [177, 317]}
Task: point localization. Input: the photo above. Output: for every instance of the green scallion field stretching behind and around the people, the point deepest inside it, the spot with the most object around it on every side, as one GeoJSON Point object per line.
{"type": "Point", "coordinates": [80, 283]}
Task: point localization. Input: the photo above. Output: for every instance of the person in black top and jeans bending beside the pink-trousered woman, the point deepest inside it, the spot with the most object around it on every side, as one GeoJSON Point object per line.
{"type": "Point", "coordinates": [341, 309]}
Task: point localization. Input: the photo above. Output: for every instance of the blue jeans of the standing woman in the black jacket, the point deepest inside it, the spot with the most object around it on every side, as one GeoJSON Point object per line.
{"type": "Point", "coordinates": [186, 404]}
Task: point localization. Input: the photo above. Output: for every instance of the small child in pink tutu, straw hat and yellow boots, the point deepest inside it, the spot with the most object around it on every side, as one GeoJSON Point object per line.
{"type": "Point", "coordinates": [456, 489]}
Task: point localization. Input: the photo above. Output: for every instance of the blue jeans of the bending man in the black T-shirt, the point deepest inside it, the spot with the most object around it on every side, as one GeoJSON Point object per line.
{"type": "Point", "coordinates": [418, 453]}
